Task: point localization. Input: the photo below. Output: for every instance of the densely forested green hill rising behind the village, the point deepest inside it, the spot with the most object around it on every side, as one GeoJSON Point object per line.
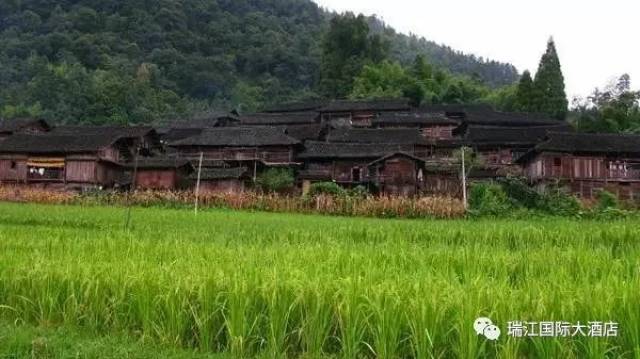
{"type": "Point", "coordinates": [137, 60]}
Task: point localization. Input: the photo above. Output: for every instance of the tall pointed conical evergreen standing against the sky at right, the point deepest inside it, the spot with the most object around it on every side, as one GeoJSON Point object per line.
{"type": "Point", "coordinates": [549, 91]}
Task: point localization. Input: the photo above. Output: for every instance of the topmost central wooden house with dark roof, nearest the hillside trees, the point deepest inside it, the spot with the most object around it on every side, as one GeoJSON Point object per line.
{"type": "Point", "coordinates": [344, 113]}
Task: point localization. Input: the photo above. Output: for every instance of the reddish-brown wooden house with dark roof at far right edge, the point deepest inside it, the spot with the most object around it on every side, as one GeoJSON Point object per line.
{"type": "Point", "coordinates": [586, 163]}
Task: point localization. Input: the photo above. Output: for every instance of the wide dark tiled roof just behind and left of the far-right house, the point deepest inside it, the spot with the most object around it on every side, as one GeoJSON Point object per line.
{"type": "Point", "coordinates": [509, 136]}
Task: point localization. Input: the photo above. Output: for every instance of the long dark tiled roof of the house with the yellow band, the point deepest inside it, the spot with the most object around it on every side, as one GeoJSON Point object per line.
{"type": "Point", "coordinates": [56, 143]}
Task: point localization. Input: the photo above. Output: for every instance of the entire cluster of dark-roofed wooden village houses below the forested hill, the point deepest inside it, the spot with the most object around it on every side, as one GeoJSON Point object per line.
{"type": "Point", "coordinates": [385, 145]}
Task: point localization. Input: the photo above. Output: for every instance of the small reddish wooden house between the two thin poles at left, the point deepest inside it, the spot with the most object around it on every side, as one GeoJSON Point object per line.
{"type": "Point", "coordinates": [160, 173]}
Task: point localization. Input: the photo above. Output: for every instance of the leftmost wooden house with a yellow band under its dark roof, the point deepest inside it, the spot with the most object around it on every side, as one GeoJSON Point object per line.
{"type": "Point", "coordinates": [62, 160]}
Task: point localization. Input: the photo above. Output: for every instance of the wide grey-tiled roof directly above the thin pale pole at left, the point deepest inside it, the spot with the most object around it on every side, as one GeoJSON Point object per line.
{"type": "Point", "coordinates": [237, 137]}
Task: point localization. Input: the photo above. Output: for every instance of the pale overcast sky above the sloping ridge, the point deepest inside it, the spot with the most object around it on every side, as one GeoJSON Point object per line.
{"type": "Point", "coordinates": [597, 40]}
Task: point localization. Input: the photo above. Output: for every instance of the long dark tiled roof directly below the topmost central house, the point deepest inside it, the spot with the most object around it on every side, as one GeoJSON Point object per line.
{"type": "Point", "coordinates": [407, 136]}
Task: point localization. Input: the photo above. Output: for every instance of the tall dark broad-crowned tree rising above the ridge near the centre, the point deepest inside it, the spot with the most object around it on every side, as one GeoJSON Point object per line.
{"type": "Point", "coordinates": [347, 47]}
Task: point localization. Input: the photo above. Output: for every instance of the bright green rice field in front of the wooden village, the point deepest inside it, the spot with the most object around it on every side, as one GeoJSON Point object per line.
{"type": "Point", "coordinates": [273, 285]}
